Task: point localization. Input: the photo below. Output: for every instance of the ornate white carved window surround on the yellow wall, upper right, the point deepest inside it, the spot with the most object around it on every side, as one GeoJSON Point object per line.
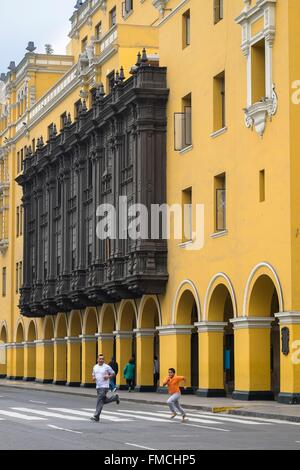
{"type": "Point", "coordinates": [256, 114]}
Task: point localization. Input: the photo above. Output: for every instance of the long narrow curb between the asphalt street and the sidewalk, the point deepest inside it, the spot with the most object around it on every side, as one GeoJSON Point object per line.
{"type": "Point", "coordinates": [230, 410]}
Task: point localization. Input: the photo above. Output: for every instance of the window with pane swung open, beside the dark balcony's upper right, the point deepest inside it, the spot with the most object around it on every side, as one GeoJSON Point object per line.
{"type": "Point", "coordinates": [183, 124]}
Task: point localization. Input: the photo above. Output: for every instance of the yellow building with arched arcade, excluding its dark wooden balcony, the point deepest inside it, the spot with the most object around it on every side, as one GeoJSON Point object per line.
{"type": "Point", "coordinates": [229, 319]}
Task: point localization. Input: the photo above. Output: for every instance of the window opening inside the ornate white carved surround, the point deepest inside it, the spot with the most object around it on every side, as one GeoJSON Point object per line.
{"type": "Point", "coordinates": [258, 71]}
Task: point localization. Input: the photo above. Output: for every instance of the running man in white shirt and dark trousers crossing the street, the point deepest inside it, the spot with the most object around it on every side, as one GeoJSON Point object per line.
{"type": "Point", "coordinates": [101, 374]}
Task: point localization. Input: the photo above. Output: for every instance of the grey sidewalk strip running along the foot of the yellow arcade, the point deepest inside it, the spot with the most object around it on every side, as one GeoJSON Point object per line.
{"type": "Point", "coordinates": [262, 409]}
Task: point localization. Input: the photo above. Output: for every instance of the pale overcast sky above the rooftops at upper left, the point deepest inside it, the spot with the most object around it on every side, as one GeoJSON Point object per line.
{"type": "Point", "coordinates": [41, 21]}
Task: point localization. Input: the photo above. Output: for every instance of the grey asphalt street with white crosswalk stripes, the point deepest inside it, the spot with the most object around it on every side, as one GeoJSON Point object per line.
{"type": "Point", "coordinates": [35, 420]}
